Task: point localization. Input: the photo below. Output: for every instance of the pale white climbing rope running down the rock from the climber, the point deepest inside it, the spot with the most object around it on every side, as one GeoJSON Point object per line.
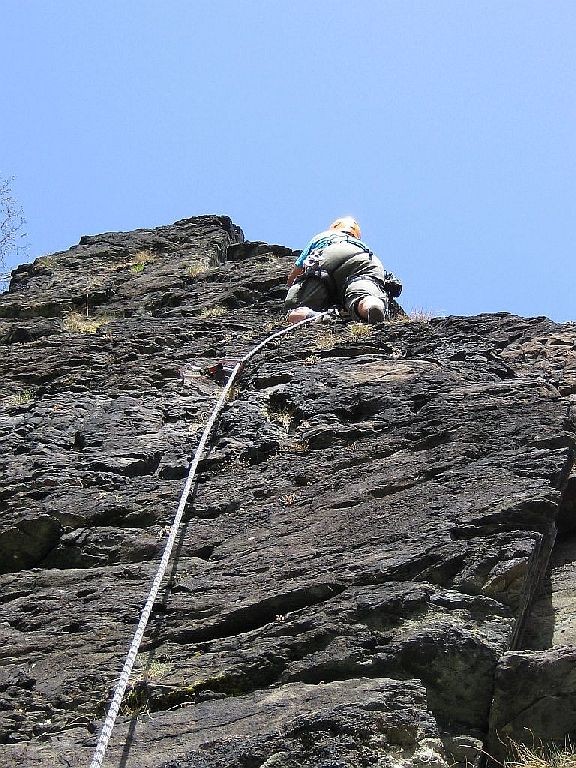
{"type": "Point", "coordinates": [122, 683]}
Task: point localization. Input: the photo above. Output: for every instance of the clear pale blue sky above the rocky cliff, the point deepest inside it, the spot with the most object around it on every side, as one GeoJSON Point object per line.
{"type": "Point", "coordinates": [447, 127]}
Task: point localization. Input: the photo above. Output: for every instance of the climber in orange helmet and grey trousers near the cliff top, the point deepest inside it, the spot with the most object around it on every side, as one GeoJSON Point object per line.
{"type": "Point", "coordinates": [337, 270]}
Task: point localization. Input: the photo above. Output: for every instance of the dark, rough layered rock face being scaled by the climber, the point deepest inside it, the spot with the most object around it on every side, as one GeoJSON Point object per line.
{"type": "Point", "coordinates": [353, 580]}
